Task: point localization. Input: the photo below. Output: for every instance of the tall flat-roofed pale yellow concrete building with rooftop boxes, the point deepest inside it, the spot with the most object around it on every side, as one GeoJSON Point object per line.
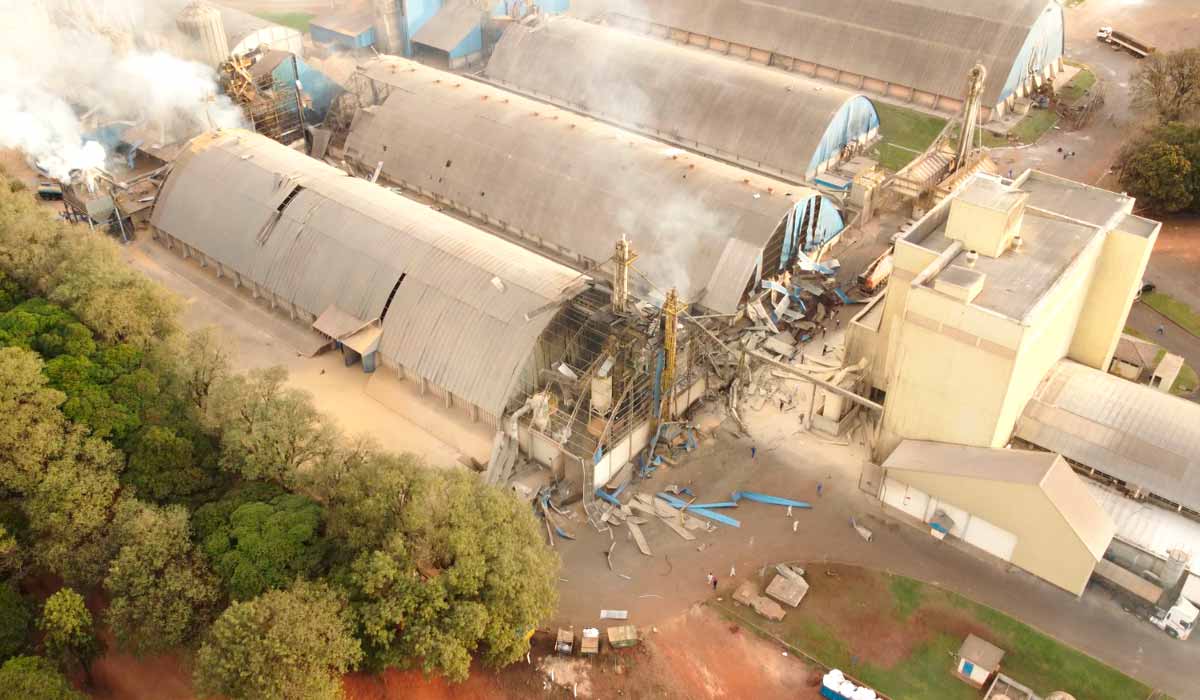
{"type": "Point", "coordinates": [991, 290]}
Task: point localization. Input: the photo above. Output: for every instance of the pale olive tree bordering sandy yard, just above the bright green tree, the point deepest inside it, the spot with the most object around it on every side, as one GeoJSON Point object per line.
{"type": "Point", "coordinates": [268, 432]}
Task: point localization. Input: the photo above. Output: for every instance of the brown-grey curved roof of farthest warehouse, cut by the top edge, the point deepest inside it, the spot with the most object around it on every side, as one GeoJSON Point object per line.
{"type": "Point", "coordinates": [929, 45]}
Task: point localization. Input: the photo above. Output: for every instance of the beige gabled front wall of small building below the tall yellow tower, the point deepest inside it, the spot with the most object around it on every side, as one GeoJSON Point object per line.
{"type": "Point", "coordinates": [1047, 546]}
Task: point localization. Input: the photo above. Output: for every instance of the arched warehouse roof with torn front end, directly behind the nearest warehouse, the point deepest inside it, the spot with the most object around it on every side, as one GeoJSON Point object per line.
{"type": "Point", "coordinates": [574, 186]}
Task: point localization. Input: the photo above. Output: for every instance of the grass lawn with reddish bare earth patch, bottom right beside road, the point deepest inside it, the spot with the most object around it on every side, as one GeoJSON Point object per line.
{"type": "Point", "coordinates": [901, 637]}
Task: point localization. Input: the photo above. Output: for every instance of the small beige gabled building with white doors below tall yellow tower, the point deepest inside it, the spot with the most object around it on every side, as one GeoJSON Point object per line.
{"type": "Point", "coordinates": [1023, 507]}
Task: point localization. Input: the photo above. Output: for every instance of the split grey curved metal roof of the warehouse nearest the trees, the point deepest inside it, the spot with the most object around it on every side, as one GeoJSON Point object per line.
{"type": "Point", "coordinates": [344, 242]}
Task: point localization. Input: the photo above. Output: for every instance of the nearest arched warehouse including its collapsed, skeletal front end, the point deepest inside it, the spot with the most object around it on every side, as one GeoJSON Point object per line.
{"type": "Point", "coordinates": [568, 372]}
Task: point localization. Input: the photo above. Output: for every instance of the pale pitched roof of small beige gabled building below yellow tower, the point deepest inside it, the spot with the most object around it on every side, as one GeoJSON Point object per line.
{"type": "Point", "coordinates": [1047, 471]}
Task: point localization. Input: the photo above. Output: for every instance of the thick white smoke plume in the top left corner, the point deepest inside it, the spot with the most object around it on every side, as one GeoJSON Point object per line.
{"type": "Point", "coordinates": [68, 67]}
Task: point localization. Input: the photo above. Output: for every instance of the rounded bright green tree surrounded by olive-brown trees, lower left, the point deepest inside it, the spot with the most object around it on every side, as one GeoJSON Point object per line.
{"type": "Point", "coordinates": [267, 546]}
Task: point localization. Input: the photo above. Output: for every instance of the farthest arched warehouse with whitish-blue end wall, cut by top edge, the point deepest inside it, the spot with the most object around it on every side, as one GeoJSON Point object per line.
{"type": "Point", "coordinates": [913, 51]}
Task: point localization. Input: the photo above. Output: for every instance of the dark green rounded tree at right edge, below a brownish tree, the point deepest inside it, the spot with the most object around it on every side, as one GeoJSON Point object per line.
{"type": "Point", "coordinates": [1157, 173]}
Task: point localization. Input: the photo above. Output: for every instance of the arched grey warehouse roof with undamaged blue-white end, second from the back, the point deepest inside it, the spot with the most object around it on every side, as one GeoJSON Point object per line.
{"type": "Point", "coordinates": [769, 121]}
